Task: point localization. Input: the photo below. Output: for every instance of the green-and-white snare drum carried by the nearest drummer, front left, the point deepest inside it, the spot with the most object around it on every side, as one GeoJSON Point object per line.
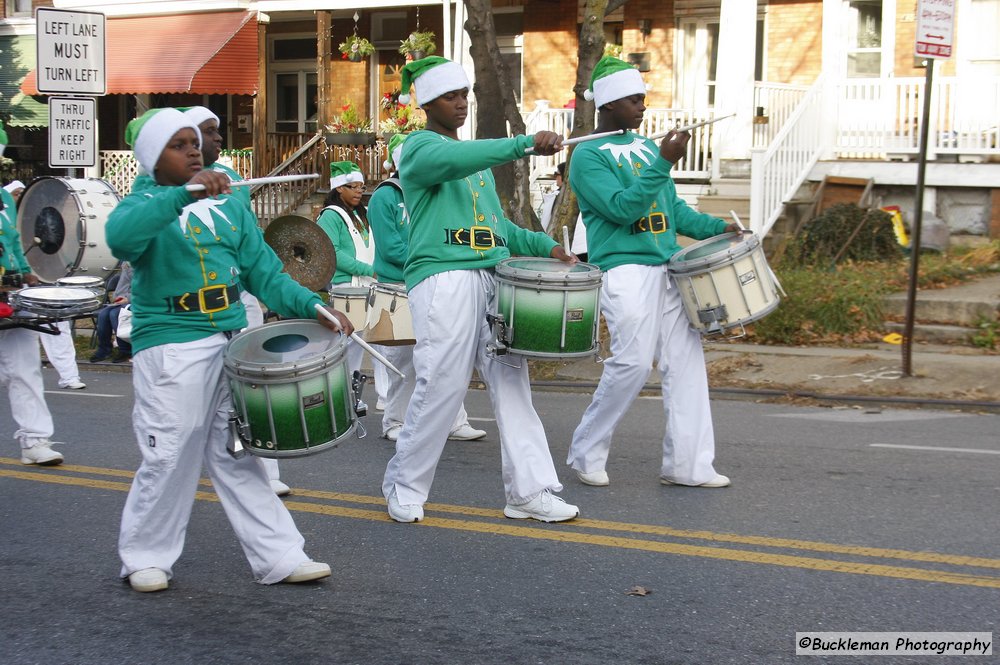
{"type": "Point", "coordinates": [290, 388]}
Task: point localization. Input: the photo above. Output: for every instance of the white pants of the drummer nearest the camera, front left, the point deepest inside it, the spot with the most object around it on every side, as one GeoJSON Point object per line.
{"type": "Point", "coordinates": [180, 418]}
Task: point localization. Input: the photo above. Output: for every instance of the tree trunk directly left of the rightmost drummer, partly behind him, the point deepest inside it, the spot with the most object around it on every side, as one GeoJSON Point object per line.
{"type": "Point", "coordinates": [589, 51]}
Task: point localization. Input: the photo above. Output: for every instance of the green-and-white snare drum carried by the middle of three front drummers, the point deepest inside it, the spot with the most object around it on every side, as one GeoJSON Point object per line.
{"type": "Point", "coordinates": [551, 309]}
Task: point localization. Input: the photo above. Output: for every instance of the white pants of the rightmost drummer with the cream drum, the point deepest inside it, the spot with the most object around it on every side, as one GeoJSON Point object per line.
{"type": "Point", "coordinates": [645, 316]}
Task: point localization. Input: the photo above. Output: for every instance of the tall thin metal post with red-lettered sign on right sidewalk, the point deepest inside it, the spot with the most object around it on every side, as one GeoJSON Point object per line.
{"type": "Point", "coordinates": [934, 39]}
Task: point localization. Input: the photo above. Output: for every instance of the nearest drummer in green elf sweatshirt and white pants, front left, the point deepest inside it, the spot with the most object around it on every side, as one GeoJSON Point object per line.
{"type": "Point", "coordinates": [191, 252]}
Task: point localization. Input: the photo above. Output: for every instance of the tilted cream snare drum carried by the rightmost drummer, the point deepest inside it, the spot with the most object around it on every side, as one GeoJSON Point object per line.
{"type": "Point", "coordinates": [725, 282]}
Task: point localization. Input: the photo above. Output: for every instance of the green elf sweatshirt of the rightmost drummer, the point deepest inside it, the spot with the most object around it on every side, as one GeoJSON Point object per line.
{"type": "Point", "coordinates": [630, 204]}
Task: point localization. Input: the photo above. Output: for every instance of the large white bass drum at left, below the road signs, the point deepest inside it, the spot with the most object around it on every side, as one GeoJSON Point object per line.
{"type": "Point", "coordinates": [61, 221]}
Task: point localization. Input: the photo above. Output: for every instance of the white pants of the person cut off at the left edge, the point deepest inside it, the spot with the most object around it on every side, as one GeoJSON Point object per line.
{"type": "Point", "coordinates": [21, 371]}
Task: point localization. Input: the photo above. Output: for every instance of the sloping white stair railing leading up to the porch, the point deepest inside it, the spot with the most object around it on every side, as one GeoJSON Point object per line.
{"type": "Point", "coordinates": [779, 170]}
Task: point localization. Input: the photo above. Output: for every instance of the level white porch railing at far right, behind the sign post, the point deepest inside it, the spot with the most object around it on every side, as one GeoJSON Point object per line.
{"type": "Point", "coordinates": [880, 118]}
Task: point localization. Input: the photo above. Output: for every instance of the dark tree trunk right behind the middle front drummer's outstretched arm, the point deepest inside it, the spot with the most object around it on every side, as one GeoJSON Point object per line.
{"type": "Point", "coordinates": [496, 110]}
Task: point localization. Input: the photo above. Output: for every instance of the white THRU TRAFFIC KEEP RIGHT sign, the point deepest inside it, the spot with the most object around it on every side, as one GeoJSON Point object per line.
{"type": "Point", "coordinates": [72, 132]}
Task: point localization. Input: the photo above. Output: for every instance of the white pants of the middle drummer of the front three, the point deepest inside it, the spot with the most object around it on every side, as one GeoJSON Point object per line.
{"type": "Point", "coordinates": [449, 321]}
